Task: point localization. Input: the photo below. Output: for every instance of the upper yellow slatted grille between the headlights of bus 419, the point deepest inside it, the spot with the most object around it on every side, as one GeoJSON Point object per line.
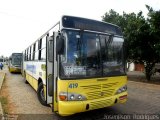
{"type": "Point", "coordinates": [100, 90]}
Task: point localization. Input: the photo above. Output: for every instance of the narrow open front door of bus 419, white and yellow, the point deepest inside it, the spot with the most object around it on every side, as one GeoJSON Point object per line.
{"type": "Point", "coordinates": [51, 82]}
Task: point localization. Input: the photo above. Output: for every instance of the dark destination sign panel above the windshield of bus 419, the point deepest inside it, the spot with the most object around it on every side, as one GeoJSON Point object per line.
{"type": "Point", "coordinates": [89, 24]}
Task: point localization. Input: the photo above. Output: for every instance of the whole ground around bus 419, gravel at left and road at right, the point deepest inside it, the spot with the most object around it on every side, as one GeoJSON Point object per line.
{"type": "Point", "coordinates": [143, 99]}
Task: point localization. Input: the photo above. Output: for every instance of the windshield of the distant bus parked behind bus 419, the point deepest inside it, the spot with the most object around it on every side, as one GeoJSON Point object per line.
{"type": "Point", "coordinates": [16, 59]}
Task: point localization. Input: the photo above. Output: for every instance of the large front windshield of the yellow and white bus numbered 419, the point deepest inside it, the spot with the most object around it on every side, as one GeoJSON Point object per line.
{"type": "Point", "coordinates": [89, 54]}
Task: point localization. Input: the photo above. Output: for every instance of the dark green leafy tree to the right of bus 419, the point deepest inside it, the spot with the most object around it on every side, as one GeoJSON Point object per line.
{"type": "Point", "coordinates": [142, 36]}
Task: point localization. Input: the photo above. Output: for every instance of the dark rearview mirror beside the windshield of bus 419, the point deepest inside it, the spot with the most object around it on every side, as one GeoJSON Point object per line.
{"type": "Point", "coordinates": [59, 44]}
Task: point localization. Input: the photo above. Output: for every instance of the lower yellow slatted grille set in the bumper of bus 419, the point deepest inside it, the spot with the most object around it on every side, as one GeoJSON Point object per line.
{"type": "Point", "coordinates": [101, 104]}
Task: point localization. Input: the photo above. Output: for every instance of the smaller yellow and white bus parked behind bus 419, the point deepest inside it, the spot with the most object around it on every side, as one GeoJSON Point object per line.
{"type": "Point", "coordinates": [15, 62]}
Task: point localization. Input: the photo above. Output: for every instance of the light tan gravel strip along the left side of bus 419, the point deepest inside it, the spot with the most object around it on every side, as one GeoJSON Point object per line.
{"type": "Point", "coordinates": [23, 96]}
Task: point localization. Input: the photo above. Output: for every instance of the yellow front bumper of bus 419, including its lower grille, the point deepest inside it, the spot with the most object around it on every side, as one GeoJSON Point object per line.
{"type": "Point", "coordinates": [66, 108]}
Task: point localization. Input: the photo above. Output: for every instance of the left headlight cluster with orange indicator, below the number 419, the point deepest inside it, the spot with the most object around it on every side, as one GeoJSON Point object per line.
{"type": "Point", "coordinates": [64, 96]}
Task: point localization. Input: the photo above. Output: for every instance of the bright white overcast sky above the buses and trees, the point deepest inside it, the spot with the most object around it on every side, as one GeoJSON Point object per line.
{"type": "Point", "coordinates": [23, 21]}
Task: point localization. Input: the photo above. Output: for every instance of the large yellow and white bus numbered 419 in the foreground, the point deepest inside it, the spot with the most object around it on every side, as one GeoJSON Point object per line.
{"type": "Point", "coordinates": [78, 65]}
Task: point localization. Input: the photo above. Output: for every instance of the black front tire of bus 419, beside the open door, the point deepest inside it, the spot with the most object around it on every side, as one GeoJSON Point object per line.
{"type": "Point", "coordinates": [40, 94]}
